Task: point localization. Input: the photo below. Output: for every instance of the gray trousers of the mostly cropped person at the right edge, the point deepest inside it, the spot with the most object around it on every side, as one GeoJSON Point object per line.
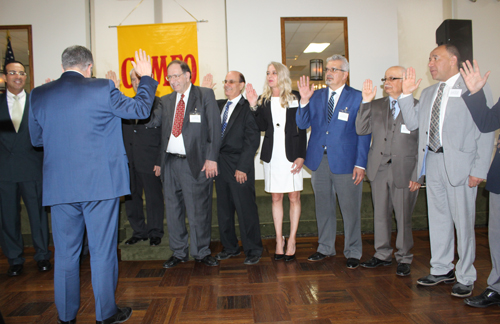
{"type": "Point", "coordinates": [494, 238]}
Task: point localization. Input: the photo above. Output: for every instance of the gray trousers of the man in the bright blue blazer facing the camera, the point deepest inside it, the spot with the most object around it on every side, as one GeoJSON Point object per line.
{"type": "Point", "coordinates": [327, 186]}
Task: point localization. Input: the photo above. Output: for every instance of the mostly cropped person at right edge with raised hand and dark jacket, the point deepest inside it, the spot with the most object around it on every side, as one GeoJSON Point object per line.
{"type": "Point", "coordinates": [487, 120]}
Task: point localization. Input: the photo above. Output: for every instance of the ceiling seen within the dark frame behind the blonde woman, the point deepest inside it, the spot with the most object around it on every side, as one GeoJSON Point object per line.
{"type": "Point", "coordinates": [299, 34]}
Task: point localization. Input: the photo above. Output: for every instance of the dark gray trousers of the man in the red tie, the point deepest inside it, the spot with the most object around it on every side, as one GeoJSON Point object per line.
{"type": "Point", "coordinates": [191, 197]}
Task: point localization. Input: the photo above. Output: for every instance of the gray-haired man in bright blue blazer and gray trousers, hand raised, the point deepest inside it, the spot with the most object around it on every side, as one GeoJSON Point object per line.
{"type": "Point", "coordinates": [337, 156]}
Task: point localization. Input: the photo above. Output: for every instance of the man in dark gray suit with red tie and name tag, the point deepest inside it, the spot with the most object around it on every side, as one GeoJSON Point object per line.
{"type": "Point", "coordinates": [190, 142]}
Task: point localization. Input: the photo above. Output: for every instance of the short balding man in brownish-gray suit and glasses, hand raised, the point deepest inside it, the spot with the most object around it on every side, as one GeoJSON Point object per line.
{"type": "Point", "coordinates": [391, 169]}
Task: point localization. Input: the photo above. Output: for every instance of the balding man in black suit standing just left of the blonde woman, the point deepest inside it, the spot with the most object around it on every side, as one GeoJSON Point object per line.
{"type": "Point", "coordinates": [235, 183]}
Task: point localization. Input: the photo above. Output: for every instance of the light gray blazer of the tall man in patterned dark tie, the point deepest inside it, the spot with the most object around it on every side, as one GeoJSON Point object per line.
{"type": "Point", "coordinates": [466, 150]}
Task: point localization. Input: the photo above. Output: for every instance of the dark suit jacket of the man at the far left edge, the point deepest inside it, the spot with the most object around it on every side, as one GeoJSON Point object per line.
{"type": "Point", "coordinates": [19, 160]}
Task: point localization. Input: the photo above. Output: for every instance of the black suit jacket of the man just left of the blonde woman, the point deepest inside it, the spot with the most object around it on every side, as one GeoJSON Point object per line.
{"type": "Point", "coordinates": [240, 142]}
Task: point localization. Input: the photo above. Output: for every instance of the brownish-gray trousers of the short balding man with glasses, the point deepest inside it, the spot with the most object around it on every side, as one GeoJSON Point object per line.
{"type": "Point", "coordinates": [386, 199]}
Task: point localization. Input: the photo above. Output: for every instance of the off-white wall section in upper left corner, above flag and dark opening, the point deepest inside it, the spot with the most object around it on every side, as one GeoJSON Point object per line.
{"type": "Point", "coordinates": [56, 24]}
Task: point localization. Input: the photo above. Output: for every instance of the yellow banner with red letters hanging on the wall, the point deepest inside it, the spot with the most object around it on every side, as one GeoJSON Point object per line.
{"type": "Point", "coordinates": [164, 43]}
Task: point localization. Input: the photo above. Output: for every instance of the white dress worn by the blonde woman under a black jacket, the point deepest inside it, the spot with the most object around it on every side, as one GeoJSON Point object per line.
{"type": "Point", "coordinates": [277, 173]}
